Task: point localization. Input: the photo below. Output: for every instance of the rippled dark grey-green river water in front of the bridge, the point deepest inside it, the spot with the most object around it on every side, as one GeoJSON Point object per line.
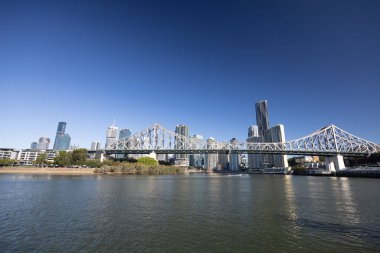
{"type": "Point", "coordinates": [189, 213]}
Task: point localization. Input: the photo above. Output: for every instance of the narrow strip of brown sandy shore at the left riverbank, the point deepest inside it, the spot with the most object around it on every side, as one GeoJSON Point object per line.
{"type": "Point", "coordinates": [55, 171]}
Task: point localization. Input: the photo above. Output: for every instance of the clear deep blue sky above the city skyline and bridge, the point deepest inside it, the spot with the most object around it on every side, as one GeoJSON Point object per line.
{"type": "Point", "coordinates": [199, 63]}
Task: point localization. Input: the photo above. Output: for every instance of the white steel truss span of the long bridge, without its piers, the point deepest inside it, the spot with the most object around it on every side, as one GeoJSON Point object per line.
{"type": "Point", "coordinates": [327, 141]}
